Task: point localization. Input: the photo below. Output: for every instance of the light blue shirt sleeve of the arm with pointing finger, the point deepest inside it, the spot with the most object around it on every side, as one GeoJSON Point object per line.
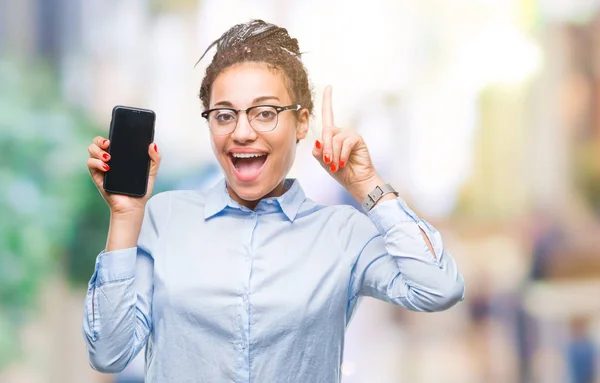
{"type": "Point", "coordinates": [394, 264]}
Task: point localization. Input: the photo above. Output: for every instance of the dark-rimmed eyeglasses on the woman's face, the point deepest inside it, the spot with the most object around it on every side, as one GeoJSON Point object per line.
{"type": "Point", "coordinates": [262, 118]}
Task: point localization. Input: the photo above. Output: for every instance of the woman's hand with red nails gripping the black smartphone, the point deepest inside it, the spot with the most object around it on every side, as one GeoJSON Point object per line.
{"type": "Point", "coordinates": [119, 204]}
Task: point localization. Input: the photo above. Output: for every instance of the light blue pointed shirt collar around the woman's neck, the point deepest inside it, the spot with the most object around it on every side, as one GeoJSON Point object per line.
{"type": "Point", "coordinates": [218, 199]}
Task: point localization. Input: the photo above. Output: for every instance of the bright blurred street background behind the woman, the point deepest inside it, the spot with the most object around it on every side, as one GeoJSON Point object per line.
{"type": "Point", "coordinates": [485, 114]}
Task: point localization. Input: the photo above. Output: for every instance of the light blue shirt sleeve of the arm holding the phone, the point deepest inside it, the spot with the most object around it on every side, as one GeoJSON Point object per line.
{"type": "Point", "coordinates": [118, 304]}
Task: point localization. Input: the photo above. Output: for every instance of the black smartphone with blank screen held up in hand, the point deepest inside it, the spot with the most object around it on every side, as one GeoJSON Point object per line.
{"type": "Point", "coordinates": [131, 133]}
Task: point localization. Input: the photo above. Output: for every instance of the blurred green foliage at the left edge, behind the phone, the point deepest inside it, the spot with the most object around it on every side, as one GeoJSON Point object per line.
{"type": "Point", "coordinates": [52, 219]}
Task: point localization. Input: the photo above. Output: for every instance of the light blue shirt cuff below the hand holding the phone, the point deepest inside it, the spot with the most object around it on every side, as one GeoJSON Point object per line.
{"type": "Point", "coordinates": [116, 265]}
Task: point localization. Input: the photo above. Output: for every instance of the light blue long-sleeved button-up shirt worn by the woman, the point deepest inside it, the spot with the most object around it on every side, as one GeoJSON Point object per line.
{"type": "Point", "coordinates": [221, 293]}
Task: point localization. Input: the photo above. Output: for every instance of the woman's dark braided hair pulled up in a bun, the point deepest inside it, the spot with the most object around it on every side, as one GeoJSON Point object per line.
{"type": "Point", "coordinates": [258, 41]}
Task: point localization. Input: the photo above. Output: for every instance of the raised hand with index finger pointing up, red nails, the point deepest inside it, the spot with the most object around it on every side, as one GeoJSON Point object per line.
{"type": "Point", "coordinates": [344, 154]}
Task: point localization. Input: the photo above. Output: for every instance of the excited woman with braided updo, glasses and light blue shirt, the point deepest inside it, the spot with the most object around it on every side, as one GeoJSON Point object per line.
{"type": "Point", "coordinates": [250, 280]}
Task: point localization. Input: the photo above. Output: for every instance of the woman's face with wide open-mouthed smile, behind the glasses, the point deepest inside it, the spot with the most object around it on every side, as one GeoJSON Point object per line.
{"type": "Point", "coordinates": [255, 163]}
